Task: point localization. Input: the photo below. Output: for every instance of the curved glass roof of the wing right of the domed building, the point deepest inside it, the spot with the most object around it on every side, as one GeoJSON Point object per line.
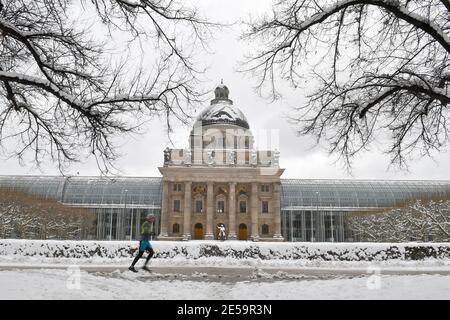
{"type": "Point", "coordinates": [301, 194]}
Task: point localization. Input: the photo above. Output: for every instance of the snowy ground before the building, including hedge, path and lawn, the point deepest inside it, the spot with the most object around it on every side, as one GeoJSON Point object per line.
{"type": "Point", "coordinates": [33, 269]}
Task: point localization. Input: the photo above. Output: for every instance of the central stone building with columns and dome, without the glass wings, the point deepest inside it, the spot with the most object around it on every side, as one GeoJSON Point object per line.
{"type": "Point", "coordinates": [221, 179]}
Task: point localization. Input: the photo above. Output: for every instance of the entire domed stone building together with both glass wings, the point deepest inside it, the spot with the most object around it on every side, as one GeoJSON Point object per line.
{"type": "Point", "coordinates": [220, 178]}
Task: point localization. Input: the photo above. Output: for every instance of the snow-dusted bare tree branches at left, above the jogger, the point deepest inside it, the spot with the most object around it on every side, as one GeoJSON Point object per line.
{"type": "Point", "coordinates": [65, 93]}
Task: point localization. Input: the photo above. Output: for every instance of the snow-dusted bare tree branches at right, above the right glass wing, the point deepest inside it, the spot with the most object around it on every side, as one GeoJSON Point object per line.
{"type": "Point", "coordinates": [379, 69]}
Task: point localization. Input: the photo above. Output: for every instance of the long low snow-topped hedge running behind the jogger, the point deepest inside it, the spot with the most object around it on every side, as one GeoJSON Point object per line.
{"type": "Point", "coordinates": [228, 249]}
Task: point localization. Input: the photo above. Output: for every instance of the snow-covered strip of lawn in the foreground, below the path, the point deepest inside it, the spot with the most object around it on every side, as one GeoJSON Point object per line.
{"type": "Point", "coordinates": [56, 284]}
